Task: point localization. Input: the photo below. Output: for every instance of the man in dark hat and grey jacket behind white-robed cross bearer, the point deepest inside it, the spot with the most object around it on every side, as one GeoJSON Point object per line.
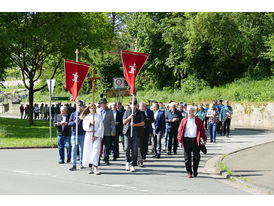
{"type": "Point", "coordinates": [109, 127]}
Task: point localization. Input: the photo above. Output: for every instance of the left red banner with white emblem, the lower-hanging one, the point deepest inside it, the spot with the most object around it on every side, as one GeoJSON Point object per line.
{"type": "Point", "coordinates": [75, 73]}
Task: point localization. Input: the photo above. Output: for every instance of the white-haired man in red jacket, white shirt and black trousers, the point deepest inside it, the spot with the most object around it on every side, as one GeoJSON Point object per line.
{"type": "Point", "coordinates": [190, 131]}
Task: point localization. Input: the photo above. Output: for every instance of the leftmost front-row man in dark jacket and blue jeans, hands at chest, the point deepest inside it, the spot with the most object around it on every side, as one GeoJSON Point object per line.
{"type": "Point", "coordinates": [63, 135]}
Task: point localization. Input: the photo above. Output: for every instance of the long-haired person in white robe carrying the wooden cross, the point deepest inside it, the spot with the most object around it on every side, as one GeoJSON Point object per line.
{"type": "Point", "coordinates": [92, 144]}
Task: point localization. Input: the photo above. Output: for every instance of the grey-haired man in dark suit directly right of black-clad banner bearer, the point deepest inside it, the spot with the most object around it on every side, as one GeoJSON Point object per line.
{"type": "Point", "coordinates": [149, 119]}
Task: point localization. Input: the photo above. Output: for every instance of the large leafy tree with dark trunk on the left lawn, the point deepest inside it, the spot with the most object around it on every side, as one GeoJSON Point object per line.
{"type": "Point", "coordinates": [37, 43]}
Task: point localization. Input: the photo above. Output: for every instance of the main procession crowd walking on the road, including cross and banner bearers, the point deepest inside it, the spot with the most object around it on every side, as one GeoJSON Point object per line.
{"type": "Point", "coordinates": [151, 123]}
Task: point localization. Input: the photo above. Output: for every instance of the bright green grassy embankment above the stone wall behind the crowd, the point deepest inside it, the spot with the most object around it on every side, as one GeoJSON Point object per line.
{"type": "Point", "coordinates": [242, 90]}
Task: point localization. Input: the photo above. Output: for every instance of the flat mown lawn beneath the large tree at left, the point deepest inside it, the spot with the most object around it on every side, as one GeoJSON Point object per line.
{"type": "Point", "coordinates": [17, 133]}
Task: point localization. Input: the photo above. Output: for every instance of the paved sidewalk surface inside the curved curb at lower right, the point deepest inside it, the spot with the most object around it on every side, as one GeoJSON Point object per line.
{"type": "Point", "coordinates": [254, 165]}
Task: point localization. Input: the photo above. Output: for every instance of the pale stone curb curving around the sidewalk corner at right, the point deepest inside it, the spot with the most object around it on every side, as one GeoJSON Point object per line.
{"type": "Point", "coordinates": [212, 167]}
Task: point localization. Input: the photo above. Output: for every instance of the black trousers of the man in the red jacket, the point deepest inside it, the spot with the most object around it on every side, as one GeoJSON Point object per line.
{"type": "Point", "coordinates": [191, 146]}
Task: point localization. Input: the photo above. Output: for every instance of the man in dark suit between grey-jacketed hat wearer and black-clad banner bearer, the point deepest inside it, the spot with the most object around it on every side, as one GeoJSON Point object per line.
{"type": "Point", "coordinates": [118, 119]}
